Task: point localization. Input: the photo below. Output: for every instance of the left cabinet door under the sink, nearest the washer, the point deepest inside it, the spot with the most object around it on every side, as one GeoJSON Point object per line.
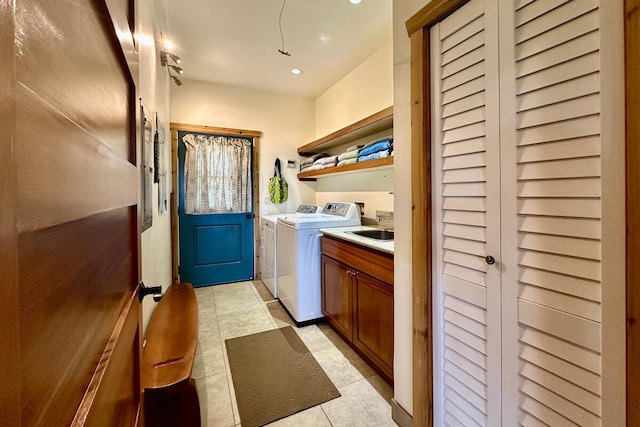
{"type": "Point", "coordinates": [337, 295]}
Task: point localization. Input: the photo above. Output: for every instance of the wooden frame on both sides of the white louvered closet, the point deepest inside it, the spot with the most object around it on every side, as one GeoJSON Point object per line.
{"type": "Point", "coordinates": [421, 218]}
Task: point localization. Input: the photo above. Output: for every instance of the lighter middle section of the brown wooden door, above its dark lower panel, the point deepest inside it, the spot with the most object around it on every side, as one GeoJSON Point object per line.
{"type": "Point", "coordinates": [67, 177]}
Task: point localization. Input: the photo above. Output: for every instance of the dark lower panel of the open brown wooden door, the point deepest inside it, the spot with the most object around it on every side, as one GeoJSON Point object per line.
{"type": "Point", "coordinates": [75, 280]}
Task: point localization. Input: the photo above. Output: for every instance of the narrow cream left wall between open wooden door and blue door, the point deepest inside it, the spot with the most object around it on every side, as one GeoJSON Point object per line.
{"type": "Point", "coordinates": [153, 88]}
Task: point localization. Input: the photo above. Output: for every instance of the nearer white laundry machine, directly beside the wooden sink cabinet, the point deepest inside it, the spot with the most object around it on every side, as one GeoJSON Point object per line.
{"type": "Point", "coordinates": [298, 261]}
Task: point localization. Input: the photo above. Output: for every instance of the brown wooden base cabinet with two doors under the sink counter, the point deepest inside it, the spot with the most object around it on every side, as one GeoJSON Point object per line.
{"type": "Point", "coordinates": [357, 299]}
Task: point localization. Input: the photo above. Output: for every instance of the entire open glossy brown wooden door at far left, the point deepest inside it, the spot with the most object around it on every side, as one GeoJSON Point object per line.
{"type": "Point", "coordinates": [69, 228]}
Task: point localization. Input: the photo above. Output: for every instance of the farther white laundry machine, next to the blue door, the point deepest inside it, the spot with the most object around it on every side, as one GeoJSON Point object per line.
{"type": "Point", "coordinates": [268, 253]}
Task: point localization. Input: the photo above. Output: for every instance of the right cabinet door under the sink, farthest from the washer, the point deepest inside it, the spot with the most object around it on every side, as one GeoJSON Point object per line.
{"type": "Point", "coordinates": [373, 334]}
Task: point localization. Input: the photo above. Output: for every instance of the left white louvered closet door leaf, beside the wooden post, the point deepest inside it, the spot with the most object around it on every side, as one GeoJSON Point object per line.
{"type": "Point", "coordinates": [467, 218]}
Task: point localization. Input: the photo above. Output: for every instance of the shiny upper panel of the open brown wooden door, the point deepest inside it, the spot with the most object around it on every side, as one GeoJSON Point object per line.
{"type": "Point", "coordinates": [73, 64]}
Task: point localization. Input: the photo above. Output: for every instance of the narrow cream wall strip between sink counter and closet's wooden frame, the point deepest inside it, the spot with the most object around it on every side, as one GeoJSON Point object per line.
{"type": "Point", "coordinates": [402, 10]}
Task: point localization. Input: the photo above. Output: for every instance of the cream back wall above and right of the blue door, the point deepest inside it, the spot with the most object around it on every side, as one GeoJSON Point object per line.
{"type": "Point", "coordinates": [286, 122]}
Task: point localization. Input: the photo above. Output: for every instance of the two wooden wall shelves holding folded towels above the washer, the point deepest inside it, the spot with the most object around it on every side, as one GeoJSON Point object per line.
{"type": "Point", "coordinates": [378, 122]}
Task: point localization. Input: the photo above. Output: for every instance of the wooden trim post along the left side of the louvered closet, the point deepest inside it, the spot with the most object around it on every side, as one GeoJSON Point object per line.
{"type": "Point", "coordinates": [421, 213]}
